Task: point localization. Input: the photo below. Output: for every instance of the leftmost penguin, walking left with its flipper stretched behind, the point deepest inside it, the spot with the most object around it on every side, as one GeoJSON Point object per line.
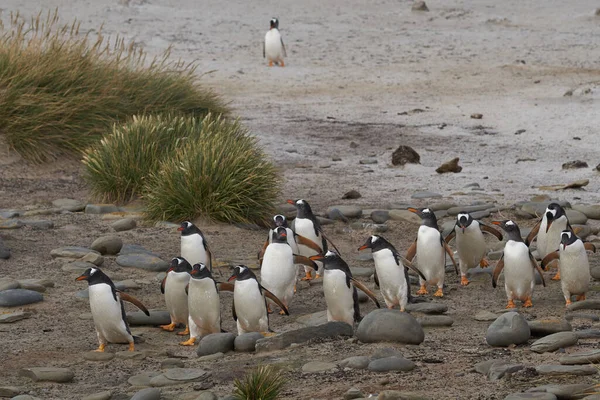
{"type": "Point", "coordinates": [108, 312]}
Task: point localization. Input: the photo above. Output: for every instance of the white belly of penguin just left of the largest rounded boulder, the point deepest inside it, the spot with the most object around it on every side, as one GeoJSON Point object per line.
{"type": "Point", "coordinates": [338, 296]}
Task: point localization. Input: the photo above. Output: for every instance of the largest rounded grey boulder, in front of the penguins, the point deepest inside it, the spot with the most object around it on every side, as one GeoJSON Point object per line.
{"type": "Point", "coordinates": [383, 325]}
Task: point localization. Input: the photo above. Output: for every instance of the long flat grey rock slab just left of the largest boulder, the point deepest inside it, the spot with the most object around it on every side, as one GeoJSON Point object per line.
{"type": "Point", "coordinates": [285, 339]}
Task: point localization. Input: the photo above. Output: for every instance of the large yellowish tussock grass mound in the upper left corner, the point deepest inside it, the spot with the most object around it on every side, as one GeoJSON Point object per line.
{"type": "Point", "coordinates": [60, 90]}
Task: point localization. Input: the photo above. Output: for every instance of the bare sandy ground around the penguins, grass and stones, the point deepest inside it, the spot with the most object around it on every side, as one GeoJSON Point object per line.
{"type": "Point", "coordinates": [356, 73]}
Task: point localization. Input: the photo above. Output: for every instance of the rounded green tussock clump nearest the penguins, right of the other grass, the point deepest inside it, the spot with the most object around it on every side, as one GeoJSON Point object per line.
{"type": "Point", "coordinates": [222, 175]}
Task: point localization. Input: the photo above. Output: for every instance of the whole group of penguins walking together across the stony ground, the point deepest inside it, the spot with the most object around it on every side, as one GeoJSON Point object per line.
{"type": "Point", "coordinates": [192, 294]}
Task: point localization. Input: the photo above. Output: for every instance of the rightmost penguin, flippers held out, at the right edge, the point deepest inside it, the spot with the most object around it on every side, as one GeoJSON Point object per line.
{"type": "Point", "coordinates": [574, 265]}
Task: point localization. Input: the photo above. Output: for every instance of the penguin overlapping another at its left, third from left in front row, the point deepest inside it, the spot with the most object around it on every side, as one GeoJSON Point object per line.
{"type": "Point", "coordinates": [203, 304]}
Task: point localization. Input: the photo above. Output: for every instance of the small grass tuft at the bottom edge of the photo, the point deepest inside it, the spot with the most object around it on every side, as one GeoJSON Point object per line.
{"type": "Point", "coordinates": [264, 383]}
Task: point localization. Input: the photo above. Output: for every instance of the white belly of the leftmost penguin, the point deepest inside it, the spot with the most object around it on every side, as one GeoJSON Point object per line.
{"type": "Point", "coordinates": [107, 315]}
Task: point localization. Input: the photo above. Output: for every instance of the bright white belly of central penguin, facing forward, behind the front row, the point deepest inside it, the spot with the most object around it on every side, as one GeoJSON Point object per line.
{"type": "Point", "coordinates": [278, 273]}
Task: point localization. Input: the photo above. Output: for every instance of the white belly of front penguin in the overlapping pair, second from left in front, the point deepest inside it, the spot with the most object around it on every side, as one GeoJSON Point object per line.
{"type": "Point", "coordinates": [204, 306]}
